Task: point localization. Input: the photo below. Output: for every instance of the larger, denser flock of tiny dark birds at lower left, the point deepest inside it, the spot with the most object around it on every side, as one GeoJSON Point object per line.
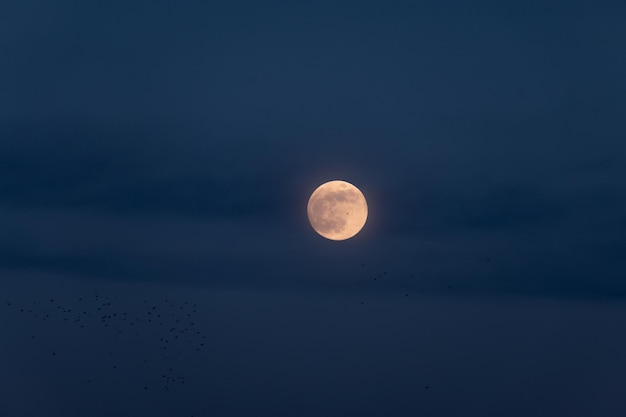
{"type": "Point", "coordinates": [170, 325]}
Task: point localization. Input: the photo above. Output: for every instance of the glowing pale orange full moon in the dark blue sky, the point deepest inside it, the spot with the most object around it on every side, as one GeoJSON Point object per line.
{"type": "Point", "coordinates": [337, 210]}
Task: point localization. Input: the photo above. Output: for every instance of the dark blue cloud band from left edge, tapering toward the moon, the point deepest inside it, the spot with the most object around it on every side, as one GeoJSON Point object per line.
{"type": "Point", "coordinates": [129, 169]}
